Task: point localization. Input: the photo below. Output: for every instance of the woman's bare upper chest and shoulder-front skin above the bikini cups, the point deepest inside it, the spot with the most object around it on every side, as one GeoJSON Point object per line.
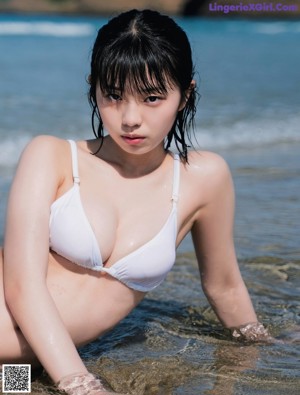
{"type": "Point", "coordinates": [118, 207]}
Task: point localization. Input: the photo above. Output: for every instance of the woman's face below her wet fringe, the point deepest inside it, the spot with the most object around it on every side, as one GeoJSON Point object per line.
{"type": "Point", "coordinates": [138, 123]}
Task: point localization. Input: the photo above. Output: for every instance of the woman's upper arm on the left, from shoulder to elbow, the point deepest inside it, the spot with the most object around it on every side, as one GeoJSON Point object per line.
{"type": "Point", "coordinates": [26, 244]}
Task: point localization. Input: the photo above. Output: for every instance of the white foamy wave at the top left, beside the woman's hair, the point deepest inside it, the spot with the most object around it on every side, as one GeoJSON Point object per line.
{"type": "Point", "coordinates": [46, 29]}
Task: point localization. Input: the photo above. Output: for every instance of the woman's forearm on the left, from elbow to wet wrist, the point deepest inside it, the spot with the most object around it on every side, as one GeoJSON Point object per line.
{"type": "Point", "coordinates": [43, 328]}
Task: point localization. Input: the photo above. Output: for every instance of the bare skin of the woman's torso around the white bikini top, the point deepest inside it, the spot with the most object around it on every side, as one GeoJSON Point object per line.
{"type": "Point", "coordinates": [124, 214]}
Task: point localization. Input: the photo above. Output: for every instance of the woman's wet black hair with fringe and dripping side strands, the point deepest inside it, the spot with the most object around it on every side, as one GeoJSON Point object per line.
{"type": "Point", "coordinates": [145, 51]}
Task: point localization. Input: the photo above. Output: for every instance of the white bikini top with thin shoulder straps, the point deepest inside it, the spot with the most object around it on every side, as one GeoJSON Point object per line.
{"type": "Point", "coordinates": [72, 237]}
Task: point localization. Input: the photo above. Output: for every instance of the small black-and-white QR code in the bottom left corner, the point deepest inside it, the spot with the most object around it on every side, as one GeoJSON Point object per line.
{"type": "Point", "coordinates": [16, 378]}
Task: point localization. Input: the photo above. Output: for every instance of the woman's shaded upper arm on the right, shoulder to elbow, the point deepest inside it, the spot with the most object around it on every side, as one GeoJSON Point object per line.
{"type": "Point", "coordinates": [212, 230]}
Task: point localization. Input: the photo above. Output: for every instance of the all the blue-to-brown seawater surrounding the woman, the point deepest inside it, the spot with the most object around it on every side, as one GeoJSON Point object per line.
{"type": "Point", "coordinates": [248, 73]}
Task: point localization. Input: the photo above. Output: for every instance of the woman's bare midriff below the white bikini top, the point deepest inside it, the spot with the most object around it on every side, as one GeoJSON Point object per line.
{"type": "Point", "coordinates": [89, 302]}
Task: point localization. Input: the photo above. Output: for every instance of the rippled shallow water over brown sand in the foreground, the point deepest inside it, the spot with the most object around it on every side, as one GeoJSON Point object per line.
{"type": "Point", "coordinates": [173, 344]}
